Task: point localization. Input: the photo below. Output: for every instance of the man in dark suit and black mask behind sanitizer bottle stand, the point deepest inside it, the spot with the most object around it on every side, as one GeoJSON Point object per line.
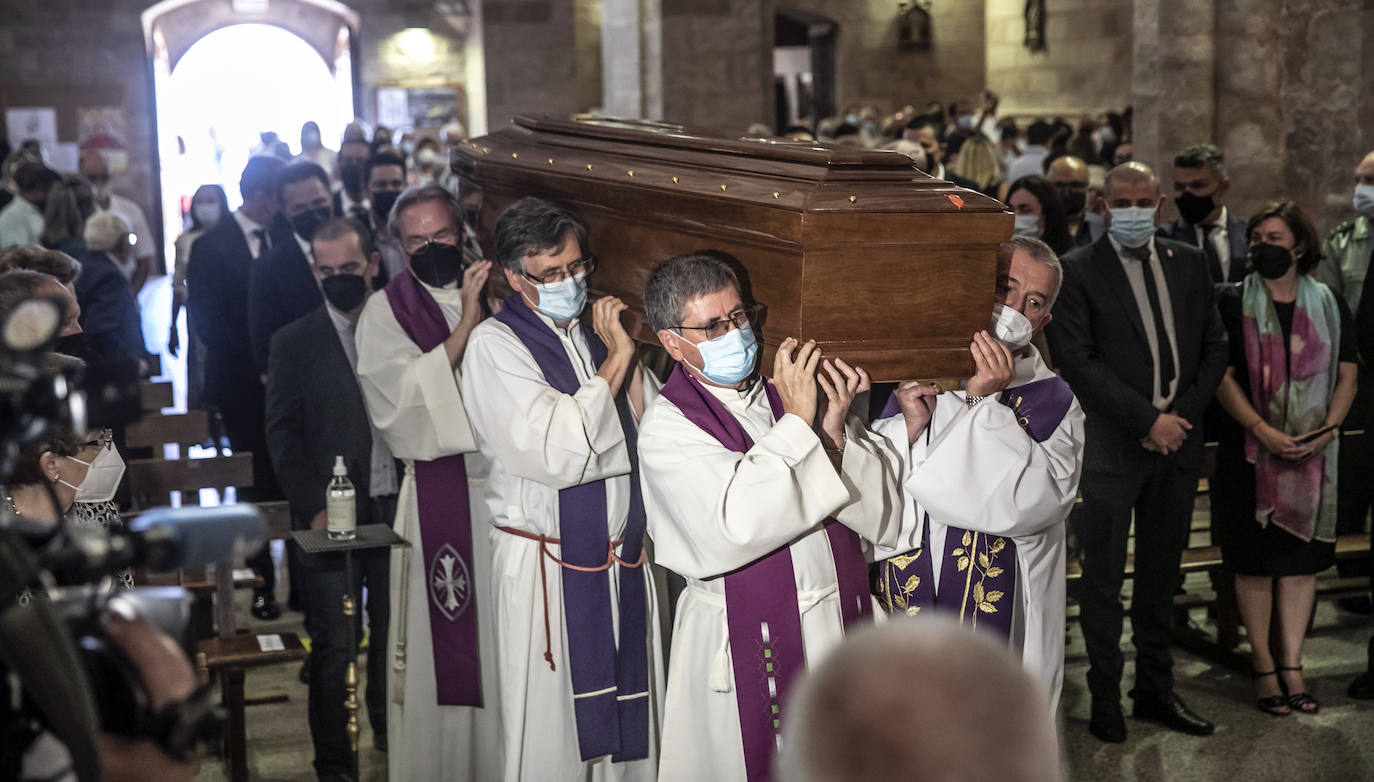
{"type": "Point", "coordinates": [314, 414]}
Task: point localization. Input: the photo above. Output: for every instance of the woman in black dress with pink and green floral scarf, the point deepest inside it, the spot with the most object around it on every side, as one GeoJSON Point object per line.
{"type": "Point", "coordinates": [1289, 386]}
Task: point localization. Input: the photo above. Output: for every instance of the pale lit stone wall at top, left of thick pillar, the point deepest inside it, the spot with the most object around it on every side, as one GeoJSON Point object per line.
{"type": "Point", "coordinates": [1085, 68]}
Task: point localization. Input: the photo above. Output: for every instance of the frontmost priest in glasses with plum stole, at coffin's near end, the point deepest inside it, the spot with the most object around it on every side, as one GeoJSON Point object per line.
{"type": "Point", "coordinates": [762, 511]}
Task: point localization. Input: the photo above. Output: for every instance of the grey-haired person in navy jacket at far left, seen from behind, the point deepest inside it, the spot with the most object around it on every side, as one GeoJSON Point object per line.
{"type": "Point", "coordinates": [109, 313]}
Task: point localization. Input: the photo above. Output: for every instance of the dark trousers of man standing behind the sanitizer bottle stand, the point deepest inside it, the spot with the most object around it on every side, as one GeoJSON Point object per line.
{"type": "Point", "coordinates": [324, 596]}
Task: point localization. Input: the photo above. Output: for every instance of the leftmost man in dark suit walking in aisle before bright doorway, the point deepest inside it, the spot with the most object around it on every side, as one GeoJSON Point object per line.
{"type": "Point", "coordinates": [218, 310]}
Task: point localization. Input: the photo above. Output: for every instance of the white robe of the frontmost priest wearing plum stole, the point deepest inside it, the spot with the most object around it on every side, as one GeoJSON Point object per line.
{"type": "Point", "coordinates": [714, 511]}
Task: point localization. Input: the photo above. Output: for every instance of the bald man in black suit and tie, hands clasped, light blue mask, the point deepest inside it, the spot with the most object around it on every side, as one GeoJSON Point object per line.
{"type": "Point", "coordinates": [1138, 337]}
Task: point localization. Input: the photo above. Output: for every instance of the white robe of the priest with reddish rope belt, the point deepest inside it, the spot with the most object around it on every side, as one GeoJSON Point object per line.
{"type": "Point", "coordinates": [541, 442]}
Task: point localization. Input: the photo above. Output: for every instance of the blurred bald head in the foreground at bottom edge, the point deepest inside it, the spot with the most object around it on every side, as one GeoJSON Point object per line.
{"type": "Point", "coordinates": [920, 700]}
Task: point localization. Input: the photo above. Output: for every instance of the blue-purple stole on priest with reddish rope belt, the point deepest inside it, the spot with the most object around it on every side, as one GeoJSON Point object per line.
{"type": "Point", "coordinates": [611, 684]}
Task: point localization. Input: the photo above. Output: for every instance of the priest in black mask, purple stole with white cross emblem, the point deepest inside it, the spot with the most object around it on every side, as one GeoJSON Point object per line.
{"type": "Point", "coordinates": [443, 699]}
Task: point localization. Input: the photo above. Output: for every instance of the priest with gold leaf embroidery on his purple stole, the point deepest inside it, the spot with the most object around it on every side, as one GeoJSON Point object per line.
{"type": "Point", "coordinates": [990, 476]}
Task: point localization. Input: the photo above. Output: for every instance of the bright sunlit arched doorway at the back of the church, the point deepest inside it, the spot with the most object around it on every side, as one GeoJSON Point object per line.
{"type": "Point", "coordinates": [223, 75]}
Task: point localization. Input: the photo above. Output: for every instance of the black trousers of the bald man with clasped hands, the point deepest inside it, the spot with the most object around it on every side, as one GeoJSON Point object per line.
{"type": "Point", "coordinates": [1162, 500]}
